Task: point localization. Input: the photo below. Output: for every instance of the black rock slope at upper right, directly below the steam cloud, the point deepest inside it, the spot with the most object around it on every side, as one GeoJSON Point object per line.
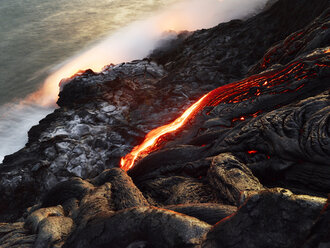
{"type": "Point", "coordinates": [226, 52]}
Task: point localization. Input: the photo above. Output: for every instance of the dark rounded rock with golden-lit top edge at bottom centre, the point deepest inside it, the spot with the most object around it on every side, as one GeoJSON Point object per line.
{"type": "Point", "coordinates": [152, 226]}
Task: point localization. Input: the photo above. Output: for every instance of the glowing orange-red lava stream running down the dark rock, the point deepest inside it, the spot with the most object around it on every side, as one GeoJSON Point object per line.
{"type": "Point", "coordinates": [235, 92]}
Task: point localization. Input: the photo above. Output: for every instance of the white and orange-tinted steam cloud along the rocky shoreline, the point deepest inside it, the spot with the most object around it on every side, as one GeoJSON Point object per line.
{"type": "Point", "coordinates": [134, 41]}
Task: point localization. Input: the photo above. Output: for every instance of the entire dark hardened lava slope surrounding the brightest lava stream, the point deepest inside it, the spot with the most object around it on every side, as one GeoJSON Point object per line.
{"type": "Point", "coordinates": [250, 168]}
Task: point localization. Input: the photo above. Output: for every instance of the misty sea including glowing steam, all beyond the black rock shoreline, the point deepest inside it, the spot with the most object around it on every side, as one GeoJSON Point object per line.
{"type": "Point", "coordinates": [43, 41]}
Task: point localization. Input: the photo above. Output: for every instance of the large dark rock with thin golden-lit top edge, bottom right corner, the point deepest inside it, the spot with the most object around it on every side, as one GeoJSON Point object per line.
{"type": "Point", "coordinates": [272, 218]}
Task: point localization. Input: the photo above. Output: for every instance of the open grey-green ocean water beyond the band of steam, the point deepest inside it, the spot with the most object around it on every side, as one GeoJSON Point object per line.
{"type": "Point", "coordinates": [38, 34]}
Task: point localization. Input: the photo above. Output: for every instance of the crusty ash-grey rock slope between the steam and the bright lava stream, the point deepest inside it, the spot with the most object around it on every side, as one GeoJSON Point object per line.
{"type": "Point", "coordinates": [87, 134]}
